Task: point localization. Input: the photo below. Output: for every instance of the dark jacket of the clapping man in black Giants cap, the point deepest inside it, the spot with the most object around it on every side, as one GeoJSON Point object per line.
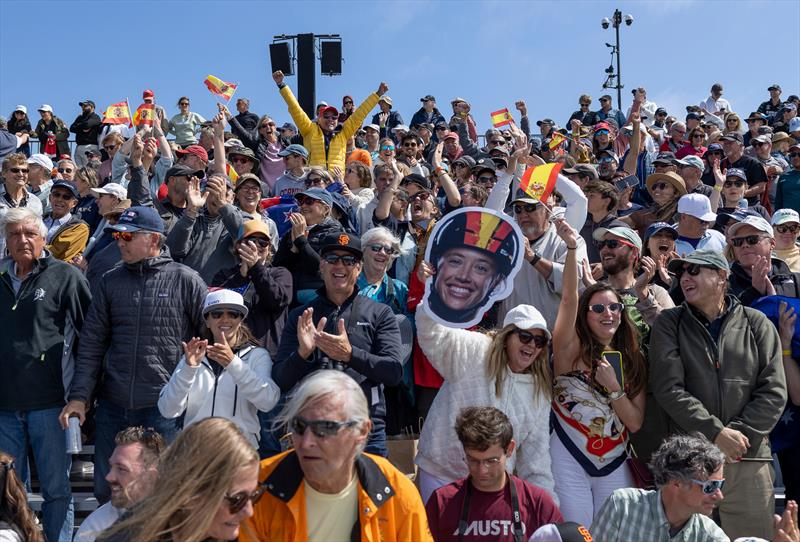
{"type": "Point", "coordinates": [373, 333]}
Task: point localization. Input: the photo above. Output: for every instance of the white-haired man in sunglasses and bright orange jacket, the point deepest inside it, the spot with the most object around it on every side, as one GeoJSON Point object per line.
{"type": "Point", "coordinates": [326, 488]}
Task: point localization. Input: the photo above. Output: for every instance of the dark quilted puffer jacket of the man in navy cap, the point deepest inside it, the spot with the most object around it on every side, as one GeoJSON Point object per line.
{"type": "Point", "coordinates": [132, 337]}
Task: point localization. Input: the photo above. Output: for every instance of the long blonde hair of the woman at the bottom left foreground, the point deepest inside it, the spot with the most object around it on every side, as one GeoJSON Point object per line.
{"type": "Point", "coordinates": [194, 475]}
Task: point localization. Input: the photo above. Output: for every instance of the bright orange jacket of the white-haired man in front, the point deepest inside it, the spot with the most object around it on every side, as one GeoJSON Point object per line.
{"type": "Point", "coordinates": [390, 508]}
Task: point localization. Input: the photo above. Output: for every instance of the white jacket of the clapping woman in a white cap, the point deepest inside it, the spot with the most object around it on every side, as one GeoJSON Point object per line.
{"type": "Point", "coordinates": [242, 389]}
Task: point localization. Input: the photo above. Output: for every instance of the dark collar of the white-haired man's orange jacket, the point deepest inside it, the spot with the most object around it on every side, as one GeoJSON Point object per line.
{"type": "Point", "coordinates": [287, 477]}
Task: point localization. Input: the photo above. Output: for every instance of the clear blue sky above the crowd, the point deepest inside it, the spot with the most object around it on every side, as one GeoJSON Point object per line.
{"type": "Point", "coordinates": [490, 53]}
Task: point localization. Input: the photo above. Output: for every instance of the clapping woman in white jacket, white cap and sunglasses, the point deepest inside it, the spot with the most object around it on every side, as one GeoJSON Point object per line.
{"type": "Point", "coordinates": [225, 374]}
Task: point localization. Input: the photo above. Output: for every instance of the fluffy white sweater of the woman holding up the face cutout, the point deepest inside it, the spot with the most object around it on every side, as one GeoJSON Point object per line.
{"type": "Point", "coordinates": [460, 357]}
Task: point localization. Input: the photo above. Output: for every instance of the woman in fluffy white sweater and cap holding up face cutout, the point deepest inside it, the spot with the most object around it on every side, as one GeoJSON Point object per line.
{"type": "Point", "coordinates": [507, 369]}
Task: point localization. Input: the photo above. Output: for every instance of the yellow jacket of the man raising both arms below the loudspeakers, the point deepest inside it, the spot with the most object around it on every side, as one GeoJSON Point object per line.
{"type": "Point", "coordinates": [313, 139]}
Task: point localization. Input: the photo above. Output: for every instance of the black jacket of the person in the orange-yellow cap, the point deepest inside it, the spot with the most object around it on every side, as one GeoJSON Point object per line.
{"type": "Point", "coordinates": [267, 292]}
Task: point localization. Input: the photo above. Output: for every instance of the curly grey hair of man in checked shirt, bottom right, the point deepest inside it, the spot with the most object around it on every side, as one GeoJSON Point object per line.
{"type": "Point", "coordinates": [684, 457]}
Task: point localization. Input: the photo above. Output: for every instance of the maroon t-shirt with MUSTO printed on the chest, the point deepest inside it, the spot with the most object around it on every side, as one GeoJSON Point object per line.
{"type": "Point", "coordinates": [490, 516]}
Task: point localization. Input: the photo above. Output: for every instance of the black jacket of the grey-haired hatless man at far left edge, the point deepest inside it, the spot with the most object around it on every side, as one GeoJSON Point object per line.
{"type": "Point", "coordinates": [40, 326]}
